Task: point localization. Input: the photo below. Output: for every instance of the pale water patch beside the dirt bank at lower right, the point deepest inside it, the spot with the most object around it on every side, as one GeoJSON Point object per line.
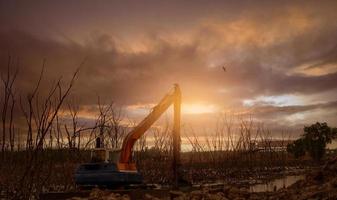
{"type": "Point", "coordinates": [276, 184]}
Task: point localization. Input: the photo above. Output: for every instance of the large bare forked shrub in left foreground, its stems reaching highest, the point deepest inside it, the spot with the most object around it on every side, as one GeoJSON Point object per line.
{"type": "Point", "coordinates": [40, 116]}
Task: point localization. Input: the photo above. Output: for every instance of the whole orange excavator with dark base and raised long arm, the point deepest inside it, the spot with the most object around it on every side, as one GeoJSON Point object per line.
{"type": "Point", "coordinates": [116, 168]}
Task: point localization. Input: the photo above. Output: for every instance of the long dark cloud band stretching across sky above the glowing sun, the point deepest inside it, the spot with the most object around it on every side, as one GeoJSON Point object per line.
{"type": "Point", "coordinates": [124, 76]}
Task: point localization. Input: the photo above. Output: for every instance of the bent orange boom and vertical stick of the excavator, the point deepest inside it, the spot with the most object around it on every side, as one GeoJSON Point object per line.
{"type": "Point", "coordinates": [125, 159]}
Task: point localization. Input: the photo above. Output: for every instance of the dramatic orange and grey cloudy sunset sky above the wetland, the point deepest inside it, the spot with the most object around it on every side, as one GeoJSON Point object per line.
{"type": "Point", "coordinates": [280, 56]}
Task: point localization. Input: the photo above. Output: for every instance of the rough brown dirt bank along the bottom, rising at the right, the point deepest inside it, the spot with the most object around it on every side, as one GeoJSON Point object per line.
{"type": "Point", "coordinates": [320, 183]}
